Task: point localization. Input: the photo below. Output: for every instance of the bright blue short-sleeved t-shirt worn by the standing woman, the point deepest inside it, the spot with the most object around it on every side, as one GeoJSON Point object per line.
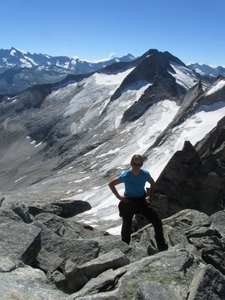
{"type": "Point", "coordinates": [135, 185]}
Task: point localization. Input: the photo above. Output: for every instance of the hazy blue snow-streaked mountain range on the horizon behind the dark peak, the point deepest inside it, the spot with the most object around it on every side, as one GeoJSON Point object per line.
{"type": "Point", "coordinates": [20, 69]}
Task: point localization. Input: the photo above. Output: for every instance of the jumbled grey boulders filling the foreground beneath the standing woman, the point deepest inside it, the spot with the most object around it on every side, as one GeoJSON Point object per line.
{"type": "Point", "coordinates": [58, 258]}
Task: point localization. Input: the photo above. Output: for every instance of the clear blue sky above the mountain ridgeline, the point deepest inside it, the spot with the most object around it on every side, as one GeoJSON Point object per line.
{"type": "Point", "coordinates": [192, 30]}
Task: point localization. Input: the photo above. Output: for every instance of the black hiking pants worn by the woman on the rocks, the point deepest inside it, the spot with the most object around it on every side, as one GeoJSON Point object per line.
{"type": "Point", "coordinates": [139, 206]}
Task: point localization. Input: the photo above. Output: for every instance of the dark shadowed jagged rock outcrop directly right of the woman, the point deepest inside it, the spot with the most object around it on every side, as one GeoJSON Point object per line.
{"type": "Point", "coordinates": [194, 177]}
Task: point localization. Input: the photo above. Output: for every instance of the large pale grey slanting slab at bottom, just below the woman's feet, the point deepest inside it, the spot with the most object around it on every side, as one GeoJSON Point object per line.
{"type": "Point", "coordinates": [177, 269]}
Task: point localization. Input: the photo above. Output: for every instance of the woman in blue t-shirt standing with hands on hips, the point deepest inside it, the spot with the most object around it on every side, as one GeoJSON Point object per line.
{"type": "Point", "coordinates": [136, 201]}
